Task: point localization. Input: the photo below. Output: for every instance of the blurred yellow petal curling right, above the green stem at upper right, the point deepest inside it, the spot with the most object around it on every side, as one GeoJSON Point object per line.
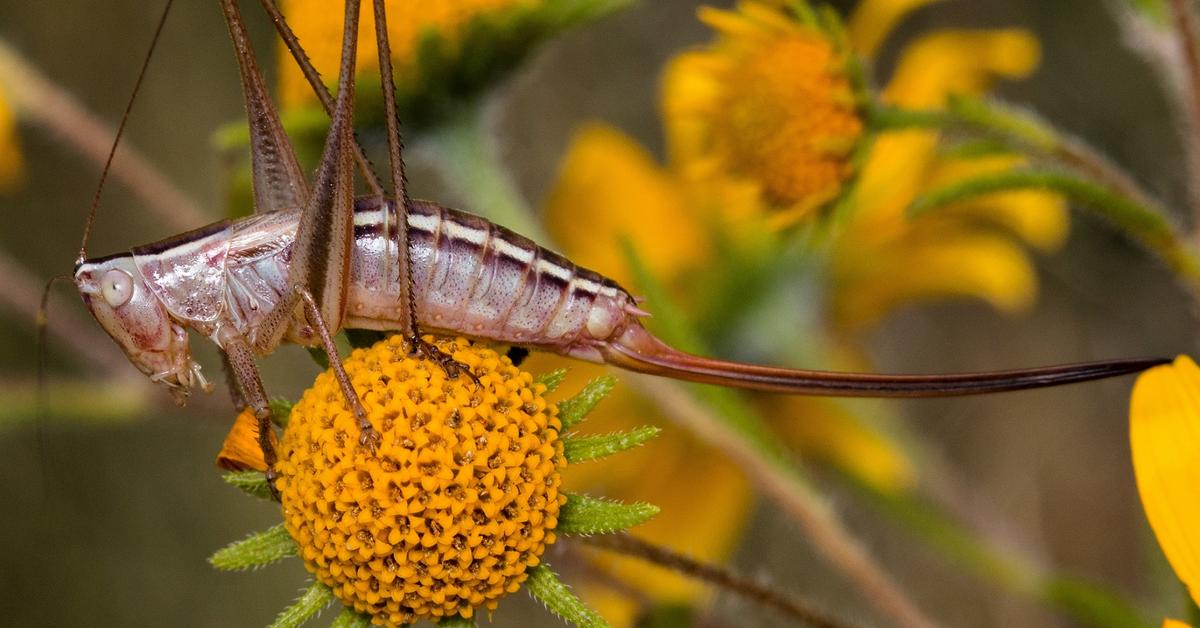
{"type": "Point", "coordinates": [959, 63]}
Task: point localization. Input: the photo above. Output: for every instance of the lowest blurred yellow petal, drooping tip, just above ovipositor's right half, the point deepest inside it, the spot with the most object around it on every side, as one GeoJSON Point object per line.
{"type": "Point", "coordinates": [989, 267]}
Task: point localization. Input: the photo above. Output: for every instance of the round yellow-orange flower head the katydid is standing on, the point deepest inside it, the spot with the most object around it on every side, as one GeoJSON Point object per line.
{"type": "Point", "coordinates": [458, 503]}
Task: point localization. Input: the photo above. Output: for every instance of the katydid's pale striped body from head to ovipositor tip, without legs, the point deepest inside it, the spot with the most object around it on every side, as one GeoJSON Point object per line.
{"type": "Point", "coordinates": [471, 278]}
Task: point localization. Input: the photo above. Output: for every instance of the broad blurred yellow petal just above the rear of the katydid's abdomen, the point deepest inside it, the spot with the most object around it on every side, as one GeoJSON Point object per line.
{"type": "Point", "coordinates": [609, 190]}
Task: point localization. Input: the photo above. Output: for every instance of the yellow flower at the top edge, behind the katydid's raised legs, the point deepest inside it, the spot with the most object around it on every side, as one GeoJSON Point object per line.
{"type": "Point", "coordinates": [321, 33]}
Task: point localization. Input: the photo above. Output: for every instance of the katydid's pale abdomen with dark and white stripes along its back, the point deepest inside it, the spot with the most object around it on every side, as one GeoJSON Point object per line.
{"type": "Point", "coordinates": [479, 279]}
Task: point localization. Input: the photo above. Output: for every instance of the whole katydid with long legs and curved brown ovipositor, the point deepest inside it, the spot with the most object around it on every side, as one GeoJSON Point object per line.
{"type": "Point", "coordinates": [314, 260]}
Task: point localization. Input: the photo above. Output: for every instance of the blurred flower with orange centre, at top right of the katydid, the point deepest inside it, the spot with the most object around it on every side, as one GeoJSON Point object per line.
{"type": "Point", "coordinates": [770, 105]}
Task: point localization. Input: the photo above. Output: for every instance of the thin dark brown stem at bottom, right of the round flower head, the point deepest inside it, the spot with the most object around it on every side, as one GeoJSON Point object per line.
{"type": "Point", "coordinates": [716, 576]}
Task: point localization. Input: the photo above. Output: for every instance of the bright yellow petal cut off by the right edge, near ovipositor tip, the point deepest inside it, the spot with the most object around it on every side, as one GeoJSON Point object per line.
{"type": "Point", "coordinates": [1165, 435]}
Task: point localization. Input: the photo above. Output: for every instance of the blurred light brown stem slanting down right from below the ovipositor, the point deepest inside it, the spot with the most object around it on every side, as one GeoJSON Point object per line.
{"type": "Point", "coordinates": [821, 525]}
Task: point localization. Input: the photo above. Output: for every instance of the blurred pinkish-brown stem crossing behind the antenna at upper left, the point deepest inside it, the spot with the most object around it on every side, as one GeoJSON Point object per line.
{"type": "Point", "coordinates": [39, 100]}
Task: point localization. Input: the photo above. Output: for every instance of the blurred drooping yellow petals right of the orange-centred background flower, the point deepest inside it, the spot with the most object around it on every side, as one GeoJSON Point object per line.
{"type": "Point", "coordinates": [885, 259]}
